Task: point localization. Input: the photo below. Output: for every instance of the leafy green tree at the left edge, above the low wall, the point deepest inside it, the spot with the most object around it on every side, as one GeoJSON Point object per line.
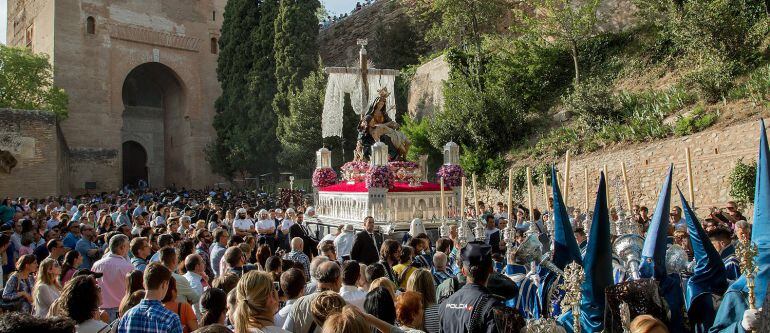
{"type": "Point", "coordinates": [26, 82]}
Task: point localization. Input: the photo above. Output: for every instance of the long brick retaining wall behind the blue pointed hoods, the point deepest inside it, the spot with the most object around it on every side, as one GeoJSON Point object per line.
{"type": "Point", "coordinates": [714, 155]}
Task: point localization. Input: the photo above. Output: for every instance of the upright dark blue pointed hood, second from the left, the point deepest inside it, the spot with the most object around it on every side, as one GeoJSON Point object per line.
{"type": "Point", "coordinates": [597, 264]}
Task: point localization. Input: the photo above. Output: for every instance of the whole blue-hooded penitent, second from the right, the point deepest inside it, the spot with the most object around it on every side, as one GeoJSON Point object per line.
{"type": "Point", "coordinates": [709, 276]}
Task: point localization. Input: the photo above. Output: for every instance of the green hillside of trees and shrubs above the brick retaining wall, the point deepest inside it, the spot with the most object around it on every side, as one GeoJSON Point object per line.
{"type": "Point", "coordinates": [526, 94]}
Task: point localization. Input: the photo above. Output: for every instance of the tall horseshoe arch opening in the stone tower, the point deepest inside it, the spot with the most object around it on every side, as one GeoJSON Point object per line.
{"type": "Point", "coordinates": [154, 109]}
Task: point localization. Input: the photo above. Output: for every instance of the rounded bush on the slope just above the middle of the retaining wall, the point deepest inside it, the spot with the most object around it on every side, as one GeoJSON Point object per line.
{"type": "Point", "coordinates": [592, 101]}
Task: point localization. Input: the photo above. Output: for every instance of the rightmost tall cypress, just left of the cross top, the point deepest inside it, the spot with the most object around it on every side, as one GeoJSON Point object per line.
{"type": "Point", "coordinates": [296, 49]}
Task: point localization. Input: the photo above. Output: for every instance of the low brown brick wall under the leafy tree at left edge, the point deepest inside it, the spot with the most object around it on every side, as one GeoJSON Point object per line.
{"type": "Point", "coordinates": [33, 139]}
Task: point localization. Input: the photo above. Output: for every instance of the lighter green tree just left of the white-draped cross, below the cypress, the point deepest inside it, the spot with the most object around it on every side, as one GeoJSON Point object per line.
{"type": "Point", "coordinates": [303, 122]}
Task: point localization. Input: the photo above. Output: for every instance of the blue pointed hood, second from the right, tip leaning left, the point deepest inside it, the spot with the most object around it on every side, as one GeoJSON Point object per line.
{"type": "Point", "coordinates": [709, 274]}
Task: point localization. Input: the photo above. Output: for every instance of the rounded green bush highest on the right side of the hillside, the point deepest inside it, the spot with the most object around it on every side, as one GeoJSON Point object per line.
{"type": "Point", "coordinates": [712, 77]}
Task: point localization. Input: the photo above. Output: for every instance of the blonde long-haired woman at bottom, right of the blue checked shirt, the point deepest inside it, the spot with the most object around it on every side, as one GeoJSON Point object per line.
{"type": "Point", "coordinates": [257, 302]}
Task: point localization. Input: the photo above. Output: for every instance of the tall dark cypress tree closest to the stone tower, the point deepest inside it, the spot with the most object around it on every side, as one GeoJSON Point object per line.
{"type": "Point", "coordinates": [232, 151]}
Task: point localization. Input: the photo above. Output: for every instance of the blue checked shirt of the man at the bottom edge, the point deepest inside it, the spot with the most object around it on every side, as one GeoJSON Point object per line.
{"type": "Point", "coordinates": [149, 316]}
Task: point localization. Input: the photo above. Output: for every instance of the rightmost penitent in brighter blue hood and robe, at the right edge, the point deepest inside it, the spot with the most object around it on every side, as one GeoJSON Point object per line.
{"type": "Point", "coordinates": [735, 301]}
